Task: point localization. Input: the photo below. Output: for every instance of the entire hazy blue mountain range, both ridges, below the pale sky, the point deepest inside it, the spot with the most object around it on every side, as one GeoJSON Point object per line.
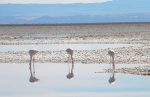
{"type": "Point", "coordinates": [112, 11]}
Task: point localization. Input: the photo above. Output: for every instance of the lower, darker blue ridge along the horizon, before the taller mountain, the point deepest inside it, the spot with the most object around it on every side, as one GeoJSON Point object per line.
{"type": "Point", "coordinates": [134, 17]}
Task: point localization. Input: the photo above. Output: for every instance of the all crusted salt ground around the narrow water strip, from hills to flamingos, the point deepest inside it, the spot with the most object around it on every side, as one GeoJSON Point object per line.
{"type": "Point", "coordinates": [105, 33]}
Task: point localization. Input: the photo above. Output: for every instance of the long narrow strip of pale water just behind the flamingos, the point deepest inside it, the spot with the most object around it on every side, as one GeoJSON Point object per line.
{"type": "Point", "coordinates": [58, 47]}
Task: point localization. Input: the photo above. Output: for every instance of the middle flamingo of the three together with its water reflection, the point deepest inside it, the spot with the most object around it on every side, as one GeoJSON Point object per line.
{"type": "Point", "coordinates": [70, 56]}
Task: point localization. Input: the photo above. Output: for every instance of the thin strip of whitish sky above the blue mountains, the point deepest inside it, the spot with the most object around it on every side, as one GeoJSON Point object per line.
{"type": "Point", "coordinates": [52, 1]}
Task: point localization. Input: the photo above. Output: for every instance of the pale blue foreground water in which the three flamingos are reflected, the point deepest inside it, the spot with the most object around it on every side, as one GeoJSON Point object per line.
{"type": "Point", "coordinates": [14, 81]}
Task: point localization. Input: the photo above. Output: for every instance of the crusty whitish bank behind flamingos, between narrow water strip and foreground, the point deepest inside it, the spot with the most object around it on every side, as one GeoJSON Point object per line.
{"type": "Point", "coordinates": [124, 55]}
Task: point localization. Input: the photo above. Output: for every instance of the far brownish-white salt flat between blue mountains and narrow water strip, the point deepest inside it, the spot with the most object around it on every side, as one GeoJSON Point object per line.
{"type": "Point", "coordinates": [125, 33]}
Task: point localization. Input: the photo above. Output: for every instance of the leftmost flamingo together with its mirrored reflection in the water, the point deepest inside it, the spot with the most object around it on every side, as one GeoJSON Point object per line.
{"type": "Point", "coordinates": [32, 53]}
